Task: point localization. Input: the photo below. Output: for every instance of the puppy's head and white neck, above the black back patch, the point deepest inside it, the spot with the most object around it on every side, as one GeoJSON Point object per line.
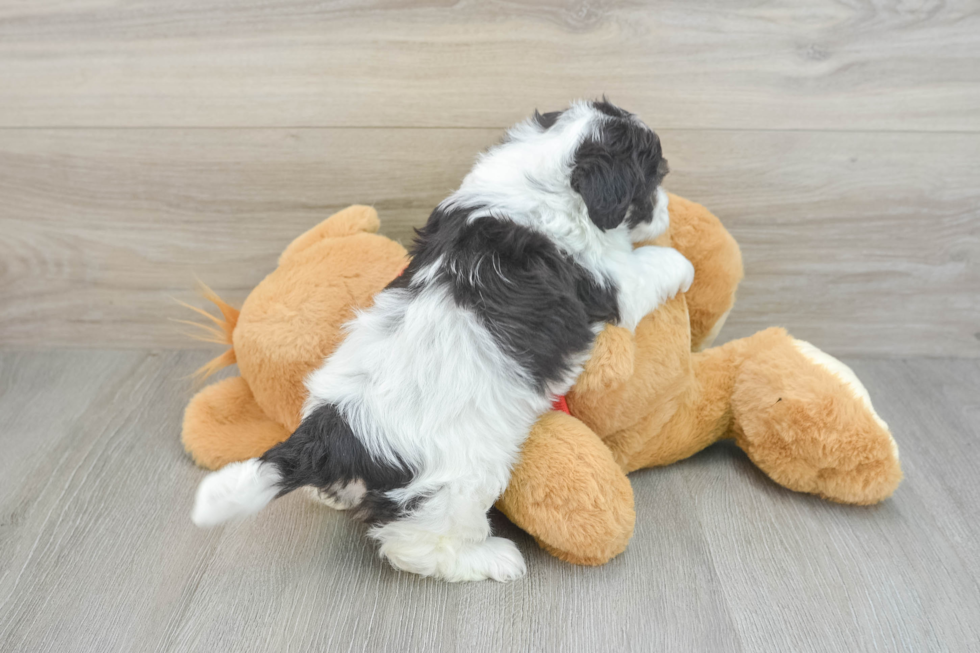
{"type": "Point", "coordinates": [592, 155]}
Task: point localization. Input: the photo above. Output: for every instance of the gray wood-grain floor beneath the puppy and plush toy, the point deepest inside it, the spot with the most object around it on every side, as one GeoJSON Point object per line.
{"type": "Point", "coordinates": [97, 552]}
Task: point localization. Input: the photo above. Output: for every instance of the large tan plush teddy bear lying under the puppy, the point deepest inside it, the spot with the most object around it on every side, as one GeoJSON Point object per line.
{"type": "Point", "coordinates": [645, 399]}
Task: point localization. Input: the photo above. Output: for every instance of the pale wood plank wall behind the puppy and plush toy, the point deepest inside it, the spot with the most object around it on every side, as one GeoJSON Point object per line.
{"type": "Point", "coordinates": [145, 142]}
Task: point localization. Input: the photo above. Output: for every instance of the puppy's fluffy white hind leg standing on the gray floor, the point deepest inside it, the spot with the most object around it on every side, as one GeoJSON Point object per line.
{"type": "Point", "coordinates": [448, 537]}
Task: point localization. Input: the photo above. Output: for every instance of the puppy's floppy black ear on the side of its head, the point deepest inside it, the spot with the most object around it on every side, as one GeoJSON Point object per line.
{"type": "Point", "coordinates": [607, 178]}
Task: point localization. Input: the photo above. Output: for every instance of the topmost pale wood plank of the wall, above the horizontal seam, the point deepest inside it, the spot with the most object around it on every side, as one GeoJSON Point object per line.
{"type": "Point", "coordinates": [787, 65]}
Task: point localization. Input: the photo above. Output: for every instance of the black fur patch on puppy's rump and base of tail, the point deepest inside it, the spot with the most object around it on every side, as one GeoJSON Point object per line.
{"type": "Point", "coordinates": [325, 453]}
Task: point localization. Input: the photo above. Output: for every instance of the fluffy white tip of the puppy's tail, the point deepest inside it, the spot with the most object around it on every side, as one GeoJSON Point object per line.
{"type": "Point", "coordinates": [237, 490]}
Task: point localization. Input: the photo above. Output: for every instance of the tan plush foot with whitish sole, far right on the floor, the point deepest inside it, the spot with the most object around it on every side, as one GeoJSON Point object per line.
{"type": "Point", "coordinates": [807, 421]}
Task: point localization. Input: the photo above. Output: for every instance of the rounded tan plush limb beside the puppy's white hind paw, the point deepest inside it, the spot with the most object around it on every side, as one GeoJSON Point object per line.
{"type": "Point", "coordinates": [569, 493]}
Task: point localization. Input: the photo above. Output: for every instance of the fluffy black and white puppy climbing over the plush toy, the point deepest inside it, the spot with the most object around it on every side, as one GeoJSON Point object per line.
{"type": "Point", "coordinates": [416, 420]}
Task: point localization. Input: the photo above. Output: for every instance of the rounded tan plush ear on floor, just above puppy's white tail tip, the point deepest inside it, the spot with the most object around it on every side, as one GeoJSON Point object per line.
{"type": "Point", "coordinates": [223, 424]}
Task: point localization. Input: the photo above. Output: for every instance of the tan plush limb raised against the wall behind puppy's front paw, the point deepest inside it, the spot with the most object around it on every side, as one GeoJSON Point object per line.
{"type": "Point", "coordinates": [697, 234]}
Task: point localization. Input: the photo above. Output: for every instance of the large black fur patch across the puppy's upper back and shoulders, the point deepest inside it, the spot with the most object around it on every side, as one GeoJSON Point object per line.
{"type": "Point", "coordinates": [536, 302]}
